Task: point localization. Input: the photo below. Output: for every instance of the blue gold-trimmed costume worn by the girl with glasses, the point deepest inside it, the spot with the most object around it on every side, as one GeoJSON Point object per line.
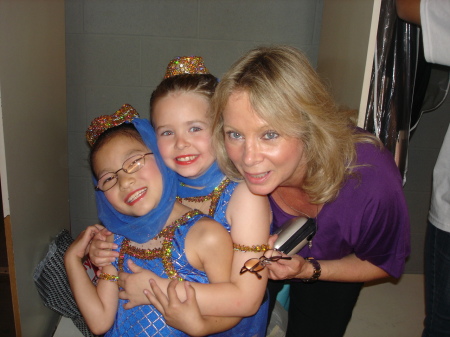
{"type": "Point", "coordinates": [145, 320]}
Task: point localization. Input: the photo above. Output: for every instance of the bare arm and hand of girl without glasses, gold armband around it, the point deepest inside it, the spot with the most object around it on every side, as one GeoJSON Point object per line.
{"type": "Point", "coordinates": [250, 217]}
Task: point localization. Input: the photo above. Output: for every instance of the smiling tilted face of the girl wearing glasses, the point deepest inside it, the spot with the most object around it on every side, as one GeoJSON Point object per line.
{"type": "Point", "coordinates": [134, 194]}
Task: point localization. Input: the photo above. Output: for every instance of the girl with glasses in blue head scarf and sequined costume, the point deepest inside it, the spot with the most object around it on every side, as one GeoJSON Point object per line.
{"type": "Point", "coordinates": [135, 195]}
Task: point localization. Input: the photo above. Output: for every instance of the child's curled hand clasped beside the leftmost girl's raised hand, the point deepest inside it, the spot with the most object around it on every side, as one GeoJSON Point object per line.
{"type": "Point", "coordinates": [100, 251]}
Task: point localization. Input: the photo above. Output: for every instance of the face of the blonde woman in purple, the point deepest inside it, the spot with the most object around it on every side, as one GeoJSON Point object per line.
{"type": "Point", "coordinates": [263, 156]}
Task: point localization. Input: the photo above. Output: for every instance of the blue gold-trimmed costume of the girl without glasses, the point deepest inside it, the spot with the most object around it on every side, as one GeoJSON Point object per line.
{"type": "Point", "coordinates": [252, 326]}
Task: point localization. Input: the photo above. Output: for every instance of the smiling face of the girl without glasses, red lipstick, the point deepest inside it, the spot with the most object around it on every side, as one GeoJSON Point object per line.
{"type": "Point", "coordinates": [183, 132]}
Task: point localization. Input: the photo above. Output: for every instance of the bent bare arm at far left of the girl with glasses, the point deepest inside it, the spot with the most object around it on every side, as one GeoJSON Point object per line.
{"type": "Point", "coordinates": [98, 305]}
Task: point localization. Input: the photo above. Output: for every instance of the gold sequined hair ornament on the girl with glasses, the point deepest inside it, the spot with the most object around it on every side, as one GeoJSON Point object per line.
{"type": "Point", "coordinates": [105, 122]}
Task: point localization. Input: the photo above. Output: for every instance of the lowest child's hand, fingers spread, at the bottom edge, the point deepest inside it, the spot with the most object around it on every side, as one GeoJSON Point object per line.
{"type": "Point", "coordinates": [184, 316]}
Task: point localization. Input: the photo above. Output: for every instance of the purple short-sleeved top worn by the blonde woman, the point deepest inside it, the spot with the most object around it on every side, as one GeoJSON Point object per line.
{"type": "Point", "coordinates": [368, 218]}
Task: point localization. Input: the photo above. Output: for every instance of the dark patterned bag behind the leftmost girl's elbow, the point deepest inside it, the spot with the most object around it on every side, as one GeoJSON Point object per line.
{"type": "Point", "coordinates": [53, 285]}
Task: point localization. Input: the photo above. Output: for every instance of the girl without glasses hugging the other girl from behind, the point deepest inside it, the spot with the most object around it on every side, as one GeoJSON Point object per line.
{"type": "Point", "coordinates": [179, 109]}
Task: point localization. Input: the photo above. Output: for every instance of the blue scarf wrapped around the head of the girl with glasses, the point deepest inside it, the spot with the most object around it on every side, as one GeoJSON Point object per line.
{"type": "Point", "coordinates": [144, 228]}
